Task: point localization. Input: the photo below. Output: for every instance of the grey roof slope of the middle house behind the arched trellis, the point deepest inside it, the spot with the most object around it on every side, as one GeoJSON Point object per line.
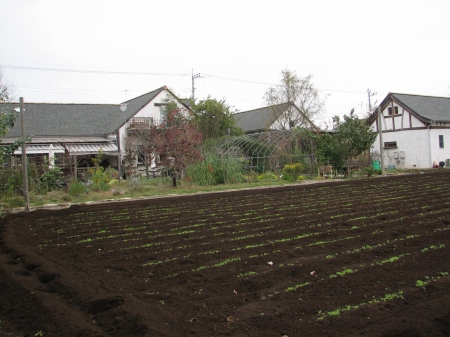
{"type": "Point", "coordinates": [260, 119]}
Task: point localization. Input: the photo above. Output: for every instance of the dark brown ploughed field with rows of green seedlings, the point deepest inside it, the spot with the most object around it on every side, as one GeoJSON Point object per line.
{"type": "Point", "coordinates": [355, 258]}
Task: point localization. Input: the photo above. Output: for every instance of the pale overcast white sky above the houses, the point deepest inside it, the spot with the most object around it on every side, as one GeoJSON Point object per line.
{"type": "Point", "coordinates": [109, 51]}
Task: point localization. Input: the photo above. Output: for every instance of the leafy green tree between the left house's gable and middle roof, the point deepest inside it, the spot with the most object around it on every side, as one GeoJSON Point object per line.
{"type": "Point", "coordinates": [214, 118]}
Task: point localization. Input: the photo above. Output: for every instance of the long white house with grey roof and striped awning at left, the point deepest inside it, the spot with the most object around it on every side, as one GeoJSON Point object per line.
{"type": "Point", "coordinates": [83, 129]}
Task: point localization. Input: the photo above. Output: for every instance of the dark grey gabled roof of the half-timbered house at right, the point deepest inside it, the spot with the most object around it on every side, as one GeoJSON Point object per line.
{"type": "Point", "coordinates": [426, 108]}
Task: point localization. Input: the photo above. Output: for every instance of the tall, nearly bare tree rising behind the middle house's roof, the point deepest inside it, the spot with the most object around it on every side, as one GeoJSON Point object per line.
{"type": "Point", "coordinates": [299, 91]}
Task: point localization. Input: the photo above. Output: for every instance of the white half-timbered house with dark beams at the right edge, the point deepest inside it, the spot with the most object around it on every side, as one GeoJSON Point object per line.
{"type": "Point", "coordinates": [415, 130]}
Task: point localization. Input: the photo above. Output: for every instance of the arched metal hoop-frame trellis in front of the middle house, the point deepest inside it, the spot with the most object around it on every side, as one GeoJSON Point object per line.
{"type": "Point", "coordinates": [270, 150]}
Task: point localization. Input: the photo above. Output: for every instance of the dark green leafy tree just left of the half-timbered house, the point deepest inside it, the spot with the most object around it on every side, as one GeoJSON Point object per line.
{"type": "Point", "coordinates": [349, 139]}
